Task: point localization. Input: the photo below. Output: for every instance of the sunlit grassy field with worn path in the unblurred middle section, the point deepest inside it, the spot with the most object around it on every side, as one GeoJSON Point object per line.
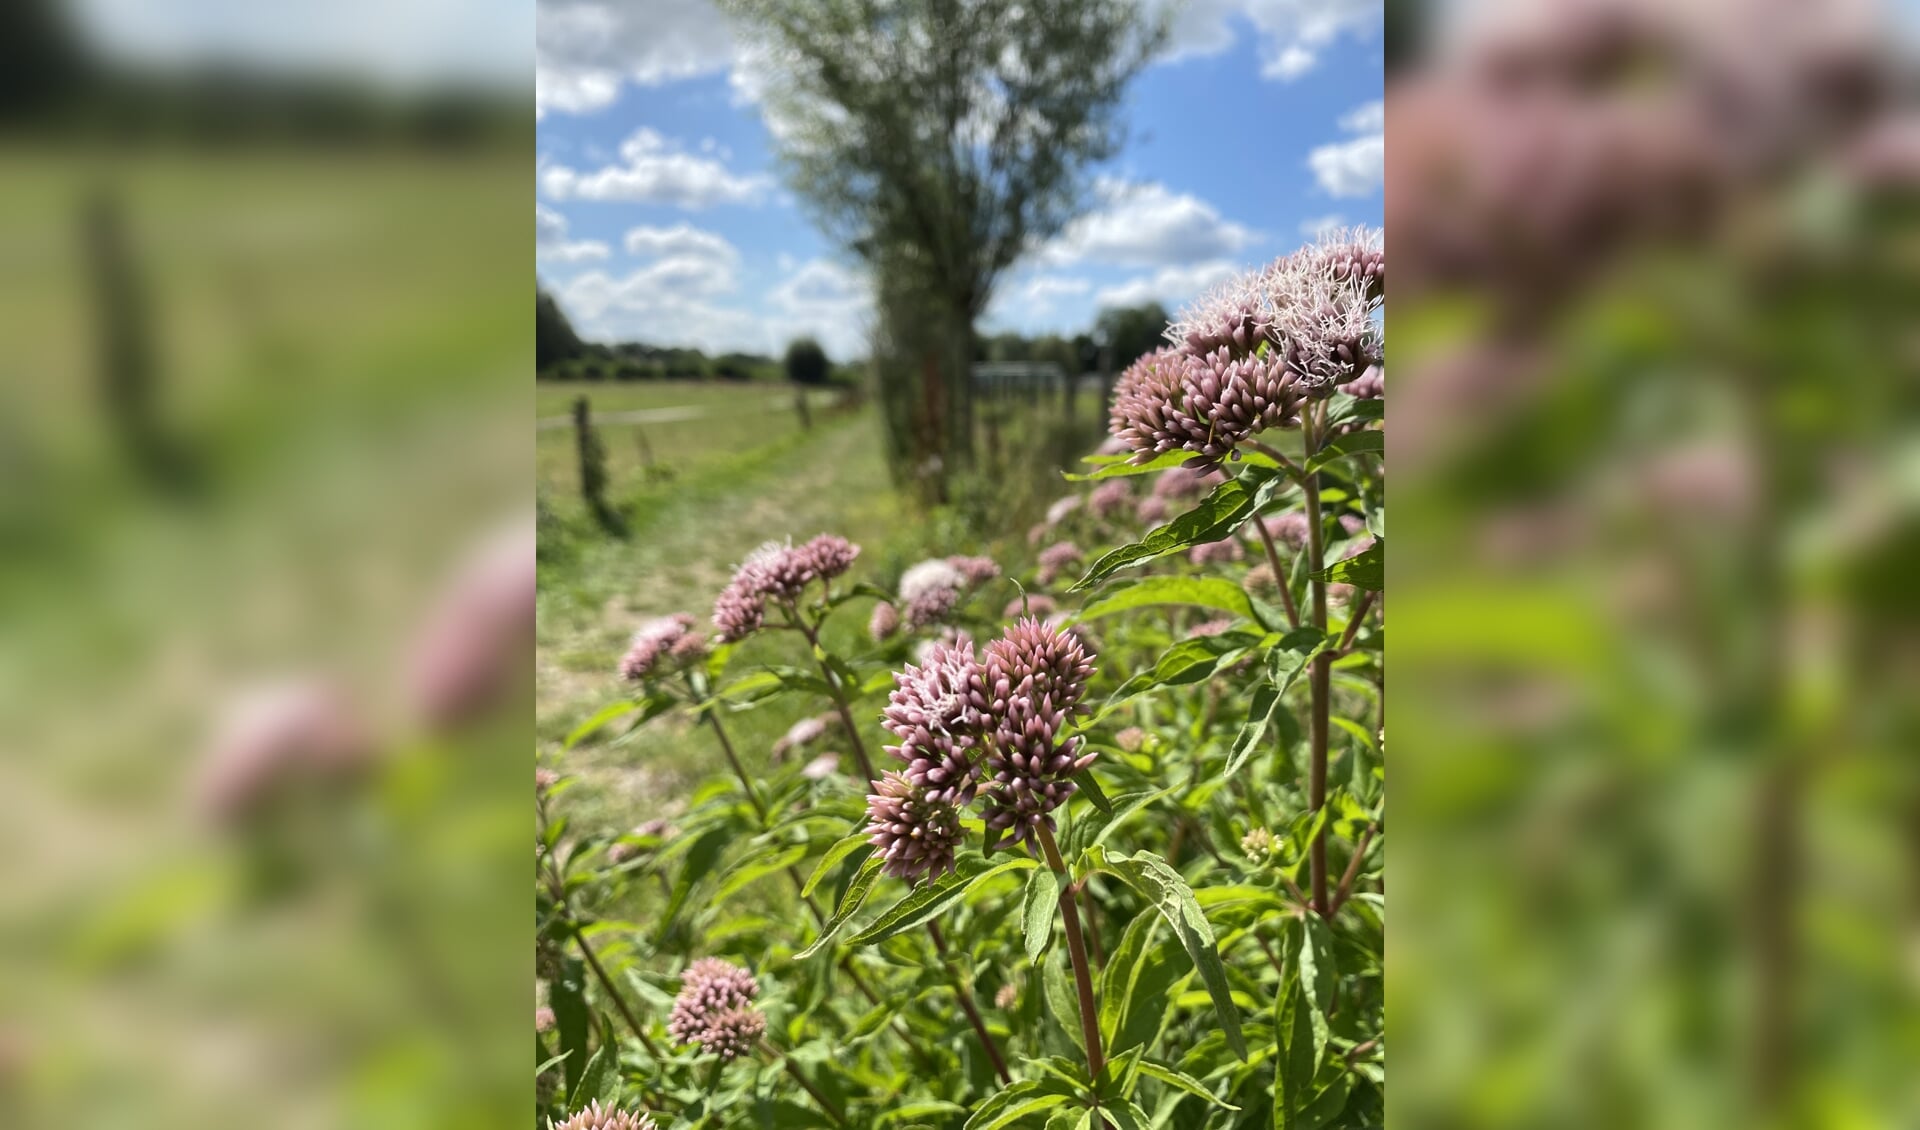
{"type": "Point", "coordinates": [750, 477]}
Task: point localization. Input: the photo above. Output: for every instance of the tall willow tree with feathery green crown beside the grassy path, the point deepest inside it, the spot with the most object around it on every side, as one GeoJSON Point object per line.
{"type": "Point", "coordinates": [940, 141]}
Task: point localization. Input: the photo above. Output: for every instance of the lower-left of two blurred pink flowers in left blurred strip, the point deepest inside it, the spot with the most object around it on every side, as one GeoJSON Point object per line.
{"type": "Point", "coordinates": [297, 730]}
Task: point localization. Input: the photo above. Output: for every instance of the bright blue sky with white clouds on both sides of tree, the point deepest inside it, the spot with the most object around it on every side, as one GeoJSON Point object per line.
{"type": "Point", "coordinates": [661, 214]}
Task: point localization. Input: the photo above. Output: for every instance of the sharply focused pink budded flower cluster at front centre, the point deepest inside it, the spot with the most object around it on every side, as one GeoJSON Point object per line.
{"type": "Point", "coordinates": [978, 726]}
